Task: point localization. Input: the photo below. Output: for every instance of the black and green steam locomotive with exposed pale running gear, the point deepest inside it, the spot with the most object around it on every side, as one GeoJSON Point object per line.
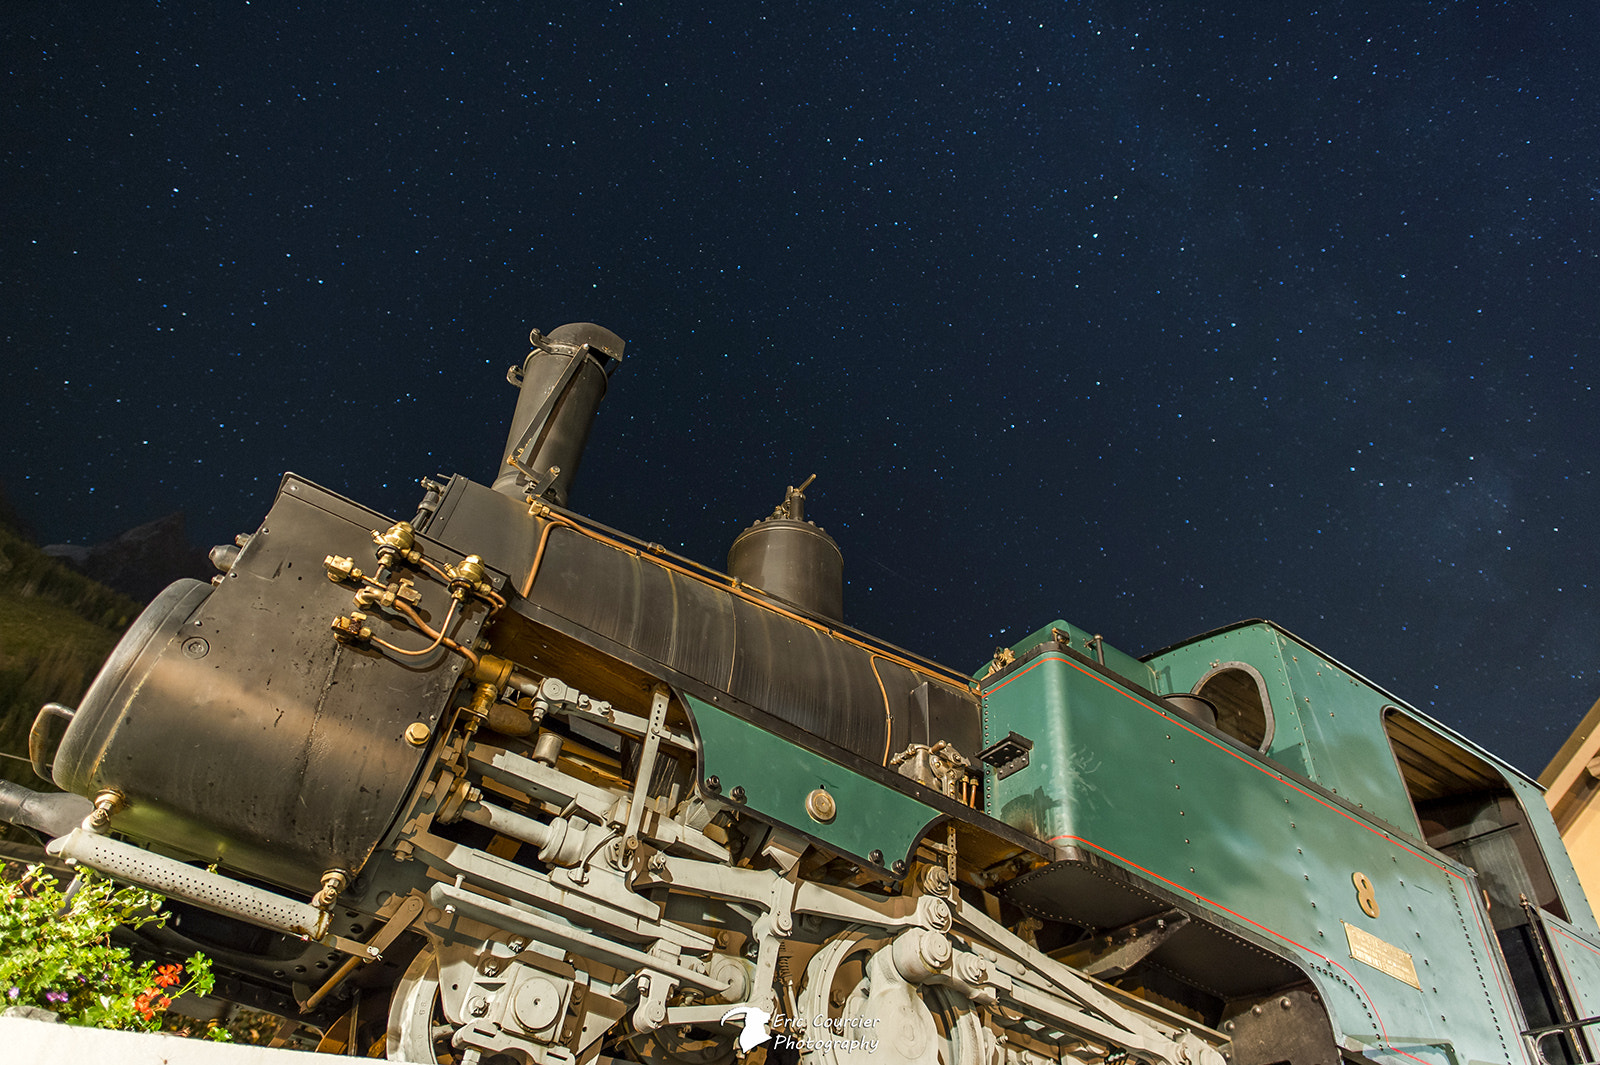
{"type": "Point", "coordinates": [503, 784]}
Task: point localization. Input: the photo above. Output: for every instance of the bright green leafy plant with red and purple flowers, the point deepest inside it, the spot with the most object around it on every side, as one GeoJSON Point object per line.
{"type": "Point", "coordinates": [57, 955]}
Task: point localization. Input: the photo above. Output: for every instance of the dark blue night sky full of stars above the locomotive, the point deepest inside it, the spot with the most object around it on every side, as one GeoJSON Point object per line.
{"type": "Point", "coordinates": [1151, 317]}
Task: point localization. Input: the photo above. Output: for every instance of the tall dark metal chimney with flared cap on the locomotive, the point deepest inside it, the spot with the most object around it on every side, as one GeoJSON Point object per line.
{"type": "Point", "coordinates": [562, 385]}
